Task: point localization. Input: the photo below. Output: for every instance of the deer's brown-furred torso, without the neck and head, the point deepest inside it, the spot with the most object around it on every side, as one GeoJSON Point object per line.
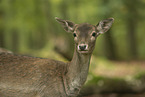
{"type": "Point", "coordinates": [40, 79]}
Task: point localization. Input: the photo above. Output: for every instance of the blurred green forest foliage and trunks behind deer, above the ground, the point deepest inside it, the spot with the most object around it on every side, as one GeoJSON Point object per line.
{"type": "Point", "coordinates": [29, 25]}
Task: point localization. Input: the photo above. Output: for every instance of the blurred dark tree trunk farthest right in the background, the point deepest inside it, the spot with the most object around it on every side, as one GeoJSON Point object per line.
{"type": "Point", "coordinates": [131, 19]}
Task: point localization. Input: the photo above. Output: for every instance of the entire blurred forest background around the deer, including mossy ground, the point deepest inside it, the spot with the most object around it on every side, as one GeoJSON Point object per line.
{"type": "Point", "coordinates": [29, 27]}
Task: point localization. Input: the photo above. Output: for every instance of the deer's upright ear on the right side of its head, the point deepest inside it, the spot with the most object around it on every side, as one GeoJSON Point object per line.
{"type": "Point", "coordinates": [104, 25]}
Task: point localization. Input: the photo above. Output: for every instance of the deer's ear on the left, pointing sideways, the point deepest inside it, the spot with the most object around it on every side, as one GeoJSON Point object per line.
{"type": "Point", "coordinates": [67, 25]}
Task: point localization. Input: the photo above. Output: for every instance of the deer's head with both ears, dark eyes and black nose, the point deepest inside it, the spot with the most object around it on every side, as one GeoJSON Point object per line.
{"type": "Point", "coordinates": [85, 34]}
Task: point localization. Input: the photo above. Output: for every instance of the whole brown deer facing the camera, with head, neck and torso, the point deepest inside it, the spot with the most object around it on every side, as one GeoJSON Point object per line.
{"type": "Point", "coordinates": [23, 76]}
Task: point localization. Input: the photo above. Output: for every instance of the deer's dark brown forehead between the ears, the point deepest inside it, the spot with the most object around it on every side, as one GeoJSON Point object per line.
{"type": "Point", "coordinates": [84, 28]}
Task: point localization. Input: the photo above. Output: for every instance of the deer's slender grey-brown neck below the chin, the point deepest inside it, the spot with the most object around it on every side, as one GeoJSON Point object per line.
{"type": "Point", "coordinates": [77, 71]}
